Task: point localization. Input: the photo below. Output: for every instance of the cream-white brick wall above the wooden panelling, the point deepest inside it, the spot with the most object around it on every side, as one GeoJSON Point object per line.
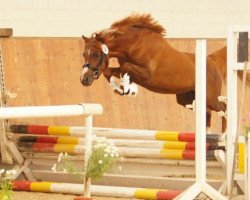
{"type": "Point", "coordinates": [71, 18]}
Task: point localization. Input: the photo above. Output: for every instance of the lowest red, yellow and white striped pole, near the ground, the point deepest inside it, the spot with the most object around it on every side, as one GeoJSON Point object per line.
{"type": "Point", "coordinates": [125, 192]}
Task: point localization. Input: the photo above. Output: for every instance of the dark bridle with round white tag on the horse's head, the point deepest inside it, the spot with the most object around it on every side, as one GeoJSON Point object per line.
{"type": "Point", "coordinates": [96, 69]}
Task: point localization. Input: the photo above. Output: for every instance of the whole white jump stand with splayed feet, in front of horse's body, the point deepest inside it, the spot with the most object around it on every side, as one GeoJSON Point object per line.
{"type": "Point", "coordinates": [200, 185]}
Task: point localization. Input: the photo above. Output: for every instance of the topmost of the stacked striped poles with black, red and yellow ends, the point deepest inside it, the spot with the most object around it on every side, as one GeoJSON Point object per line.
{"type": "Point", "coordinates": [113, 133]}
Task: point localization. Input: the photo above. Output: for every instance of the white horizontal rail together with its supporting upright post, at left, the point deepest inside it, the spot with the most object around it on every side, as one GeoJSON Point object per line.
{"type": "Point", "coordinates": [55, 111]}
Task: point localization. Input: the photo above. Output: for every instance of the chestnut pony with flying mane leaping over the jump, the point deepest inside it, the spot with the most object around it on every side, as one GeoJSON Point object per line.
{"type": "Point", "coordinates": [144, 54]}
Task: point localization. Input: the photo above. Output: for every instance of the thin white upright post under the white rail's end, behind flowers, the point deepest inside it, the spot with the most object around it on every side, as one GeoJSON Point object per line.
{"type": "Point", "coordinates": [88, 146]}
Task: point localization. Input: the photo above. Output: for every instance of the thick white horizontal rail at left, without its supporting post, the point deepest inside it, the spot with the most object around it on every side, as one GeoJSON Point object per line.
{"type": "Point", "coordinates": [50, 111]}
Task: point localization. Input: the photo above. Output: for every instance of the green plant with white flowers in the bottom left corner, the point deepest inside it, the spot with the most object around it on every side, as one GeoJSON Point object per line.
{"type": "Point", "coordinates": [5, 184]}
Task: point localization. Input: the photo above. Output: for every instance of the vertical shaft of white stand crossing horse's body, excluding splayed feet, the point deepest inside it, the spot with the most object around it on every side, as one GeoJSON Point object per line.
{"type": "Point", "coordinates": [200, 109]}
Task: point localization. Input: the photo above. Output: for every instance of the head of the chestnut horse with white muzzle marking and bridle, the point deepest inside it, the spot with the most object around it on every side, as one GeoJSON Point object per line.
{"type": "Point", "coordinates": [96, 59]}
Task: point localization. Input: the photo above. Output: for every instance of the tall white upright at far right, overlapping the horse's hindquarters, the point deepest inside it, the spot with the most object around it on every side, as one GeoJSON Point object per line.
{"type": "Point", "coordinates": [232, 114]}
